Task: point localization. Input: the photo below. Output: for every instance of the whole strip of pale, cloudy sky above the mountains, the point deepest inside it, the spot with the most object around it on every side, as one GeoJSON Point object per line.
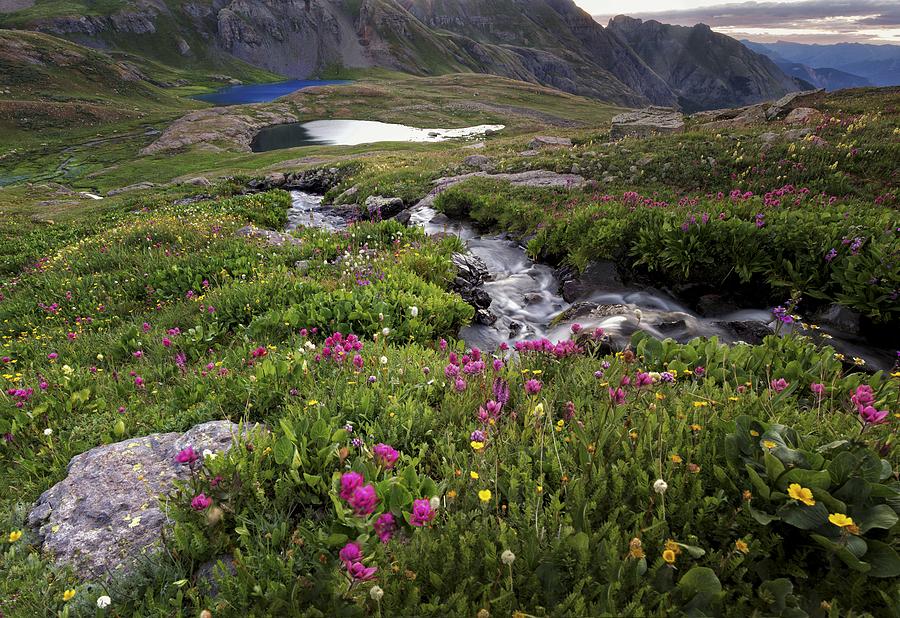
{"type": "Point", "coordinates": [803, 21]}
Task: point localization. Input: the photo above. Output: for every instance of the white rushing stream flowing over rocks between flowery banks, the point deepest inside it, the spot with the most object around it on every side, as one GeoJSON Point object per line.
{"type": "Point", "coordinates": [527, 302]}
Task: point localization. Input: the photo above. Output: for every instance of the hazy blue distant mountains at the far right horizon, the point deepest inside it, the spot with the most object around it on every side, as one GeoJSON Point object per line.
{"type": "Point", "coordinates": [841, 65]}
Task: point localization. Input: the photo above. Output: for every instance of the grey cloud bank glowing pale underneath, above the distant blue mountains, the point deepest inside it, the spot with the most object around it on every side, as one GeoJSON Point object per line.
{"type": "Point", "coordinates": [824, 20]}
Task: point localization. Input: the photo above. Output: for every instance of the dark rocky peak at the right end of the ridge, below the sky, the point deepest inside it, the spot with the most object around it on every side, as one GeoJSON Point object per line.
{"type": "Point", "coordinates": [706, 70]}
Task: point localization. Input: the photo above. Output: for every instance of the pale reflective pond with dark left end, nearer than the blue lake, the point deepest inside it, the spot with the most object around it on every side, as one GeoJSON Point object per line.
{"type": "Point", "coordinates": [354, 132]}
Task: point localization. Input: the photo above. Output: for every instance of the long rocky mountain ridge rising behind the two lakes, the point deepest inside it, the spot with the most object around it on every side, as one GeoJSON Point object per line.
{"type": "Point", "coordinates": [551, 42]}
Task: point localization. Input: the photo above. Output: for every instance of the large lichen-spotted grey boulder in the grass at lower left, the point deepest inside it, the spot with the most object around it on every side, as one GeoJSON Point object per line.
{"type": "Point", "coordinates": [107, 514]}
